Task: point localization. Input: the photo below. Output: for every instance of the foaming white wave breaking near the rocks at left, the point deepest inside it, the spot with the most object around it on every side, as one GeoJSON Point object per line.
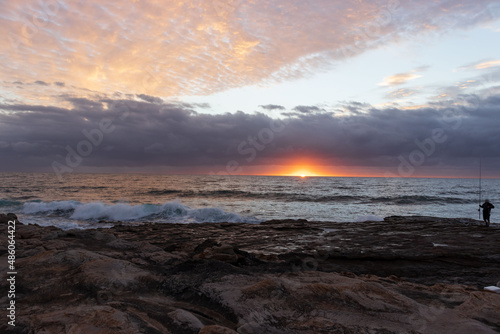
{"type": "Point", "coordinates": [98, 211]}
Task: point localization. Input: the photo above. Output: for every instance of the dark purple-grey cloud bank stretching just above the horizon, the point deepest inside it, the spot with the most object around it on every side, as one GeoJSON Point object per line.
{"type": "Point", "coordinates": [125, 133]}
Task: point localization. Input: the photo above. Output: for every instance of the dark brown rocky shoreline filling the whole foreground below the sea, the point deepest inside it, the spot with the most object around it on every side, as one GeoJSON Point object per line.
{"type": "Point", "coordinates": [401, 275]}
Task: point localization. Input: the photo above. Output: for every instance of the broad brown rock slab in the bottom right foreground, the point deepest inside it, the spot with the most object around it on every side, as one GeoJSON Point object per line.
{"type": "Point", "coordinates": [307, 302]}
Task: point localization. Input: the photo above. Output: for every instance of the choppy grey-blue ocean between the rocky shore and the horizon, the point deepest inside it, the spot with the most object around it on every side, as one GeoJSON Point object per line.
{"type": "Point", "coordinates": [98, 200]}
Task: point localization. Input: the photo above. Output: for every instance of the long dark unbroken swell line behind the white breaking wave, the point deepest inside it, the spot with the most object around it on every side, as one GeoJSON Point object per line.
{"type": "Point", "coordinates": [290, 197]}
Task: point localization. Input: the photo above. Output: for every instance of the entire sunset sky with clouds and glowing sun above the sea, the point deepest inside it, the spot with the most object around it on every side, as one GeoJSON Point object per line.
{"type": "Point", "coordinates": [392, 88]}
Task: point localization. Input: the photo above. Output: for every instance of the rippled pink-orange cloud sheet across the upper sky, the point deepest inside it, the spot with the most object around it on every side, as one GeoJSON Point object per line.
{"type": "Point", "coordinates": [197, 47]}
